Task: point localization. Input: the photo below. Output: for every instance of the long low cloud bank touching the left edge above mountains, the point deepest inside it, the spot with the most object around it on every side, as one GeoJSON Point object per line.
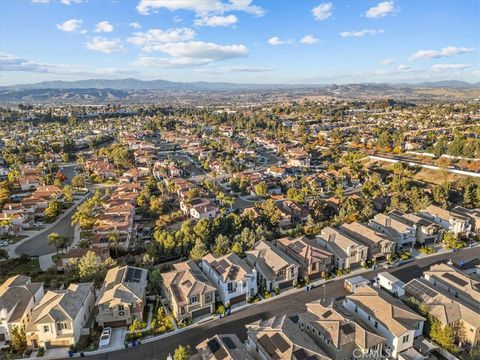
{"type": "Point", "coordinates": [13, 63]}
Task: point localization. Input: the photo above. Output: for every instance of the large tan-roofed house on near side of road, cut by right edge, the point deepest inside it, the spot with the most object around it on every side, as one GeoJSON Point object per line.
{"type": "Point", "coordinates": [464, 320]}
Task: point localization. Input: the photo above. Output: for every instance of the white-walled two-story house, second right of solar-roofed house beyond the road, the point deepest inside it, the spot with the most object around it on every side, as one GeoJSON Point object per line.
{"type": "Point", "coordinates": [234, 279]}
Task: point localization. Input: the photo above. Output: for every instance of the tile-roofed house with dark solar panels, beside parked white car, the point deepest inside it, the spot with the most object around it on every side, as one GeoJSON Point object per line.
{"type": "Point", "coordinates": [121, 298]}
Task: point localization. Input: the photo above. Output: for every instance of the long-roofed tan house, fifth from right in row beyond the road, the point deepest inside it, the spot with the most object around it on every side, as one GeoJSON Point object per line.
{"type": "Point", "coordinates": [379, 245]}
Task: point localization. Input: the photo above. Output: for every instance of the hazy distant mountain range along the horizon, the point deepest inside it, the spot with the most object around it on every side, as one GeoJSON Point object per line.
{"type": "Point", "coordinates": [134, 90]}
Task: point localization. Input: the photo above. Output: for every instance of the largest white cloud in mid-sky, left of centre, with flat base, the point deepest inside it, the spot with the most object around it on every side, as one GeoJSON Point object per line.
{"type": "Point", "coordinates": [192, 53]}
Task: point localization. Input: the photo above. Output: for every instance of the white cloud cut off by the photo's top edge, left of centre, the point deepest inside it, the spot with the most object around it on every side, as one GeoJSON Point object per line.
{"type": "Point", "coordinates": [200, 7]}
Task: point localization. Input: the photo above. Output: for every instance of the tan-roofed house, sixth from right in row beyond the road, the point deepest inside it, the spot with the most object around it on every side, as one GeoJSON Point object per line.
{"type": "Point", "coordinates": [347, 252]}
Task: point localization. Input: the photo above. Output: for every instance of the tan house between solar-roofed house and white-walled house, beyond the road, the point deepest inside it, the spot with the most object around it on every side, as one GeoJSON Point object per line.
{"type": "Point", "coordinates": [190, 293]}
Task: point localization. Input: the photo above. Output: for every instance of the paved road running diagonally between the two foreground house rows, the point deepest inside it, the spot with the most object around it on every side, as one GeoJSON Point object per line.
{"type": "Point", "coordinates": [290, 305]}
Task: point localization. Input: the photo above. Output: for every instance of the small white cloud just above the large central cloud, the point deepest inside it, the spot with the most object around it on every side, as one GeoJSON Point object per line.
{"type": "Point", "coordinates": [154, 37]}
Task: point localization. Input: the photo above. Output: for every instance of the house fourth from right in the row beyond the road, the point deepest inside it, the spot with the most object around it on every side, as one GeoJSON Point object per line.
{"type": "Point", "coordinates": [402, 234]}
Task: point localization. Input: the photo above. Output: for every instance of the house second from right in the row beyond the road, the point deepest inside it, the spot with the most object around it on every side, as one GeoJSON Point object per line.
{"type": "Point", "coordinates": [450, 220]}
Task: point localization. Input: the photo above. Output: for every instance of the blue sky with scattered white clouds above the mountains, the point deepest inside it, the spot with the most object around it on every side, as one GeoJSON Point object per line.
{"type": "Point", "coordinates": [242, 41]}
